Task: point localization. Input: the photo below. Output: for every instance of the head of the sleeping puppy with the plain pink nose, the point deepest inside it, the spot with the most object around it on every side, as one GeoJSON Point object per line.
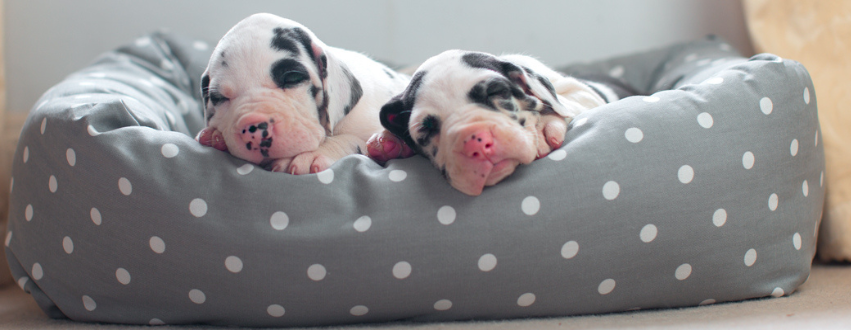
{"type": "Point", "coordinates": [475, 116]}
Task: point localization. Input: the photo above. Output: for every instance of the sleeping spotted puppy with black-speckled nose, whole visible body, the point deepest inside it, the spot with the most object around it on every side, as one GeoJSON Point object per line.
{"type": "Point", "coordinates": [277, 96]}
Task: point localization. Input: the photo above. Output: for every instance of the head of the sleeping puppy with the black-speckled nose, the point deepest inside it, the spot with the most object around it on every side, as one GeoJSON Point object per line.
{"type": "Point", "coordinates": [264, 89]}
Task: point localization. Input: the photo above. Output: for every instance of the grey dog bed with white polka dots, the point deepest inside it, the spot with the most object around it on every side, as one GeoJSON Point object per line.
{"type": "Point", "coordinates": [708, 190]}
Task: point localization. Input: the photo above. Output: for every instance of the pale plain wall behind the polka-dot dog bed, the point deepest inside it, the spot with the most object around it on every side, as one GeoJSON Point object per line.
{"type": "Point", "coordinates": [48, 39]}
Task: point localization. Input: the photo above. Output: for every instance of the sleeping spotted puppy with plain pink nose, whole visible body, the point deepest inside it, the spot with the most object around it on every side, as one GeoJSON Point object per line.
{"type": "Point", "coordinates": [477, 116]}
